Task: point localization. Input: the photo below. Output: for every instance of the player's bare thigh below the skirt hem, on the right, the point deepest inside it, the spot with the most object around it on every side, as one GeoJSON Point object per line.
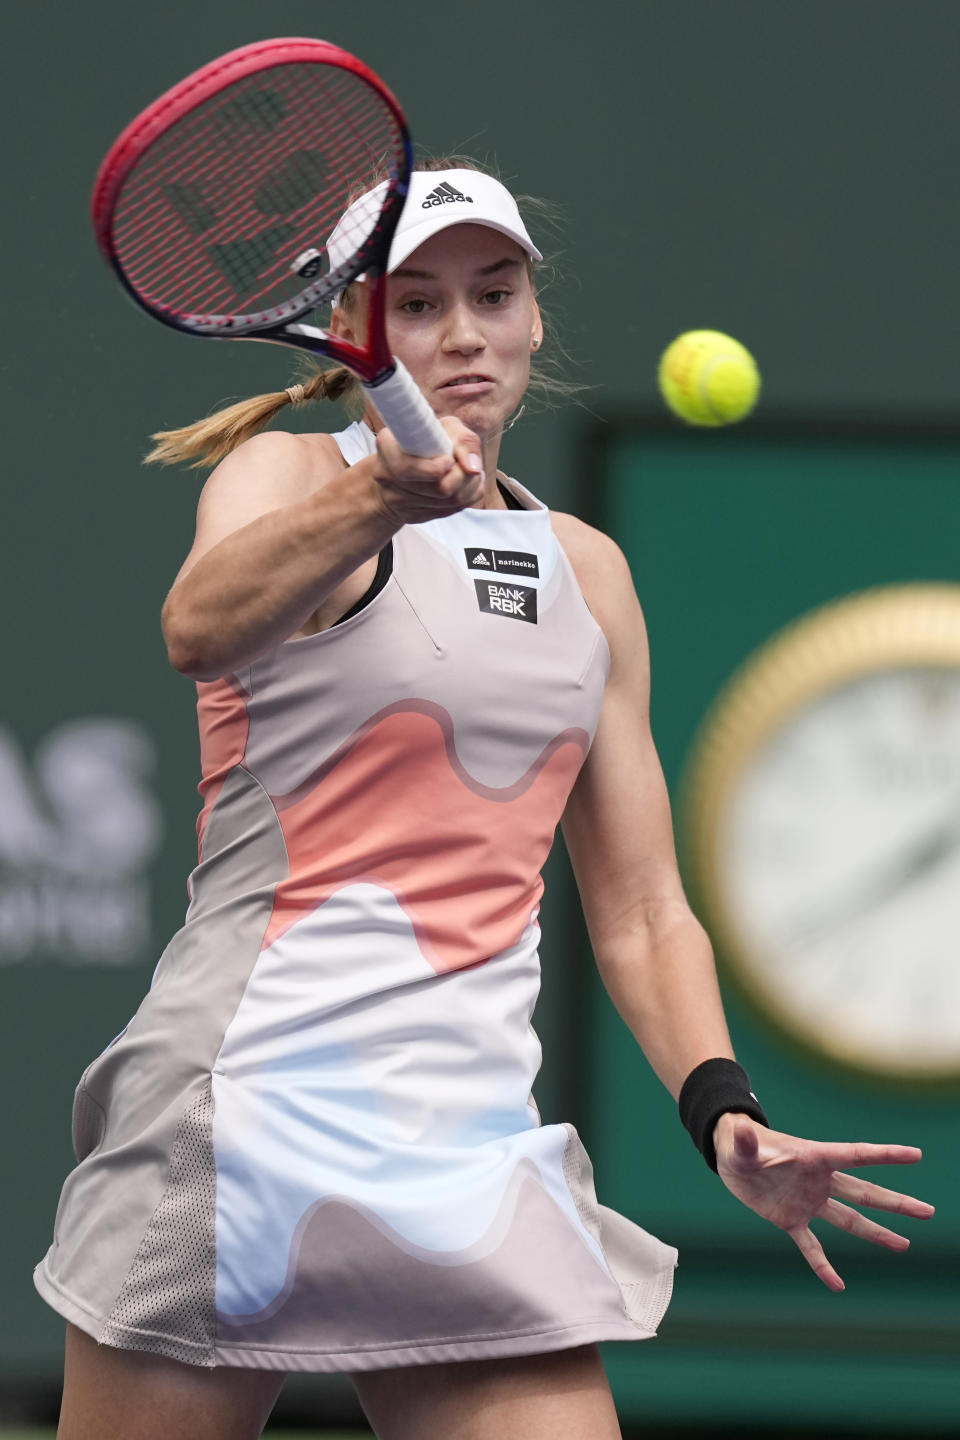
{"type": "Point", "coordinates": [563, 1396]}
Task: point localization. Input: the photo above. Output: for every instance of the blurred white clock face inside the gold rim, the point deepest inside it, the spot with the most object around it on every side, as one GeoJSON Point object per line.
{"type": "Point", "coordinates": [840, 865]}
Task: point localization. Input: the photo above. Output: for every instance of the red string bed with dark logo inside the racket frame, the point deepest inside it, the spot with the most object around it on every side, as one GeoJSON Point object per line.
{"type": "Point", "coordinates": [215, 214]}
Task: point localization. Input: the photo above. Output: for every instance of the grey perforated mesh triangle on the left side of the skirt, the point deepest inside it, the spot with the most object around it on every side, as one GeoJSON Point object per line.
{"type": "Point", "coordinates": [166, 1304]}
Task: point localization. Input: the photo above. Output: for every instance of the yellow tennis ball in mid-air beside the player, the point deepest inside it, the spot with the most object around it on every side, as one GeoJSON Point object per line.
{"type": "Point", "coordinates": [709, 378]}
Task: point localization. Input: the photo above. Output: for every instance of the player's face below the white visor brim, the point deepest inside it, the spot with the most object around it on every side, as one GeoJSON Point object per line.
{"type": "Point", "coordinates": [463, 318]}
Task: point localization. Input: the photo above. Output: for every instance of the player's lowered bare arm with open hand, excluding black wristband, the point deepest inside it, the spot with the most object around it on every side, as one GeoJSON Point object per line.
{"type": "Point", "coordinates": [656, 958]}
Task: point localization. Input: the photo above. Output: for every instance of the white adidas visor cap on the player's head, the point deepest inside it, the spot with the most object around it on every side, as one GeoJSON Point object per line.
{"type": "Point", "coordinates": [435, 199]}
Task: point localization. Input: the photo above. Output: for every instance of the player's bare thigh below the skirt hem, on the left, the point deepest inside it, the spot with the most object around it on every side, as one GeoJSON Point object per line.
{"type": "Point", "coordinates": [113, 1395]}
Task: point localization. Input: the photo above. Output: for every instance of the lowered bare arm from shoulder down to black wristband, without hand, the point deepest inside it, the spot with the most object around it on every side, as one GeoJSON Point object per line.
{"type": "Point", "coordinates": [653, 954]}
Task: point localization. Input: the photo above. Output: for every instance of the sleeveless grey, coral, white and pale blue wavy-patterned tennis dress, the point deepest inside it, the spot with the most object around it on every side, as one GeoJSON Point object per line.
{"type": "Point", "coordinates": [314, 1147]}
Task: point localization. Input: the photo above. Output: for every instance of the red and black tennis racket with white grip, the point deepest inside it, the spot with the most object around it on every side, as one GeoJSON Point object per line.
{"type": "Point", "coordinates": [217, 204]}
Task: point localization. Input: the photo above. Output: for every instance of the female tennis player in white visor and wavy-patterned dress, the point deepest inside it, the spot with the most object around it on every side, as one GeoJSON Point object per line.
{"type": "Point", "coordinates": [314, 1148]}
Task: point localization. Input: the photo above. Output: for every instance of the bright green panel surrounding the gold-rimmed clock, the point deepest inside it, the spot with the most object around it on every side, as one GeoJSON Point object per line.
{"type": "Point", "coordinates": [730, 538]}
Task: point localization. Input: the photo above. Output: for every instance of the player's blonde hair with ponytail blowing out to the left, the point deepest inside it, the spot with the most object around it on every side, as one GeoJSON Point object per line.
{"type": "Point", "coordinates": [211, 440]}
